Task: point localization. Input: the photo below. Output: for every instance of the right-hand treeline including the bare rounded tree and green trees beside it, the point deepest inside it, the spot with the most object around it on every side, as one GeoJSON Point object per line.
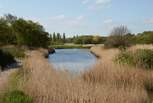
{"type": "Point", "coordinates": [121, 37]}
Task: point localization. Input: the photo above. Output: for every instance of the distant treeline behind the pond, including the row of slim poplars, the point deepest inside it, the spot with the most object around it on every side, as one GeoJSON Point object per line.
{"type": "Point", "coordinates": [58, 39]}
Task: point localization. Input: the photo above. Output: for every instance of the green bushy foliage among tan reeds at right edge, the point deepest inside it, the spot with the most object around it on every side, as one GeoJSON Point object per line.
{"type": "Point", "coordinates": [142, 58]}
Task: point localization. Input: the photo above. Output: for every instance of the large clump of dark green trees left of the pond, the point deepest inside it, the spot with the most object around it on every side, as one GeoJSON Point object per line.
{"type": "Point", "coordinates": [21, 32]}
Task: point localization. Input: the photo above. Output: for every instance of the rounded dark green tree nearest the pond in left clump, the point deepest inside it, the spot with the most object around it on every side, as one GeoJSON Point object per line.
{"type": "Point", "coordinates": [30, 33]}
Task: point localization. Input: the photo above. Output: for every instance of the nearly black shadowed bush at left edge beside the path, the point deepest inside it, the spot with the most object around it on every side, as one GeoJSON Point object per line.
{"type": "Point", "coordinates": [5, 59]}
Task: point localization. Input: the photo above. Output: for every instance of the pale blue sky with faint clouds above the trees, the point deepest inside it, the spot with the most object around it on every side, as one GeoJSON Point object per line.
{"type": "Point", "coordinates": [96, 17]}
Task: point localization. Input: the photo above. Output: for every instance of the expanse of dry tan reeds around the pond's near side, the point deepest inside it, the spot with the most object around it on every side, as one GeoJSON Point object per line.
{"type": "Point", "coordinates": [104, 83]}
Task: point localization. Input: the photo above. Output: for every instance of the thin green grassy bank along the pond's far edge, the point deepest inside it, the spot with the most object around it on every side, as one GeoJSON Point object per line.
{"type": "Point", "coordinates": [70, 46]}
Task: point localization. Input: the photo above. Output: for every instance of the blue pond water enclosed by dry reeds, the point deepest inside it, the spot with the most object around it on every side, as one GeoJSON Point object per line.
{"type": "Point", "coordinates": [73, 60]}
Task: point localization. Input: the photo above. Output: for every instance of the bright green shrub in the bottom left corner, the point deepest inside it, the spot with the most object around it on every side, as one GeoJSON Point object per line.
{"type": "Point", "coordinates": [17, 97]}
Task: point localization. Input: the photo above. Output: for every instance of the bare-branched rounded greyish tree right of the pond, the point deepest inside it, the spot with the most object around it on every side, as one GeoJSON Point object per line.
{"type": "Point", "coordinates": [118, 37]}
